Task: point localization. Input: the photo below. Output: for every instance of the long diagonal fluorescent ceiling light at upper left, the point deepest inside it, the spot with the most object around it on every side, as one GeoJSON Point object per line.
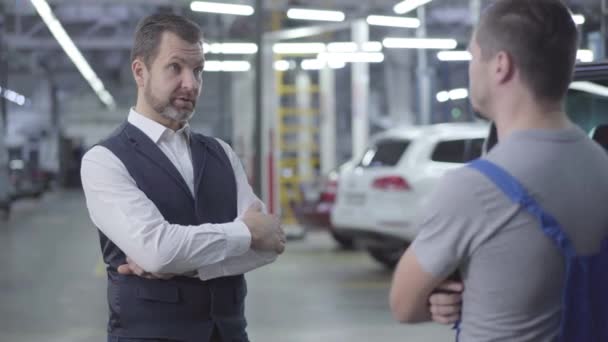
{"type": "Point", "coordinates": [66, 43]}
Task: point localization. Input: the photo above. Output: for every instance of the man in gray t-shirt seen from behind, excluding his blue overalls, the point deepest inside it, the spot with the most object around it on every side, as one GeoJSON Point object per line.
{"type": "Point", "coordinates": [523, 57]}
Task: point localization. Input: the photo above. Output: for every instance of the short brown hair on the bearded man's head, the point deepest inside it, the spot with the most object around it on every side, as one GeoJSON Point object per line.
{"type": "Point", "coordinates": [150, 30]}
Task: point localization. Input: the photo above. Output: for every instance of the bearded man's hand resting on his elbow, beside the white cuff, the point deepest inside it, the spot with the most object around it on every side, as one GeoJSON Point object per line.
{"type": "Point", "coordinates": [266, 231]}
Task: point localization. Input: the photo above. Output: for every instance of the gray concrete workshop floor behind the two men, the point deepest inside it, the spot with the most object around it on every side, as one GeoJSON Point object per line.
{"type": "Point", "coordinates": [52, 288]}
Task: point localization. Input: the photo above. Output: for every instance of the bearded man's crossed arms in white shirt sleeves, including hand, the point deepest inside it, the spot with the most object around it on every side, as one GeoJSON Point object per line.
{"type": "Point", "coordinates": [124, 214]}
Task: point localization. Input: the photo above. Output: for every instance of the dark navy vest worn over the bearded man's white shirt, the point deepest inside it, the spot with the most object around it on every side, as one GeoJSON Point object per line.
{"type": "Point", "coordinates": [183, 308]}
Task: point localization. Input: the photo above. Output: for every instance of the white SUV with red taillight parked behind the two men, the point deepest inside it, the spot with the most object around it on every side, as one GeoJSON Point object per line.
{"type": "Point", "coordinates": [378, 200]}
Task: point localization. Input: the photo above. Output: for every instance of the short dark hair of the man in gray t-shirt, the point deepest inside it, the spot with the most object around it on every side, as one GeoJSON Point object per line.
{"type": "Point", "coordinates": [540, 36]}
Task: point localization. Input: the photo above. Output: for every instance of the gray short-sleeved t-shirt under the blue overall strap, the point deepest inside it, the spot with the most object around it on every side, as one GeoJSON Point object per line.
{"type": "Point", "coordinates": [512, 272]}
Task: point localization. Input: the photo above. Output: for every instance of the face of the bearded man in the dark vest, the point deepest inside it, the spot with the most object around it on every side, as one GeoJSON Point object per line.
{"type": "Point", "coordinates": [174, 79]}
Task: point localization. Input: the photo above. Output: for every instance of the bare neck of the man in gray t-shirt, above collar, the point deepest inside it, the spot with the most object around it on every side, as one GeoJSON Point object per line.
{"type": "Point", "coordinates": [526, 115]}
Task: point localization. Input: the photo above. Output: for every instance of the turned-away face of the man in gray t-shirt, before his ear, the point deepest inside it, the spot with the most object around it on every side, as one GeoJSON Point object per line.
{"type": "Point", "coordinates": [479, 91]}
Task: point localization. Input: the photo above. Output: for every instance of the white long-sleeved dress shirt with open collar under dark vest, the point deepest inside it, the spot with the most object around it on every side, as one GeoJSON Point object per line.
{"type": "Point", "coordinates": [131, 220]}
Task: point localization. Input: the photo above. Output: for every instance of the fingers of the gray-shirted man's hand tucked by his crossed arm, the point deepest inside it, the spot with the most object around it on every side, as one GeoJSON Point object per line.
{"type": "Point", "coordinates": [446, 301]}
